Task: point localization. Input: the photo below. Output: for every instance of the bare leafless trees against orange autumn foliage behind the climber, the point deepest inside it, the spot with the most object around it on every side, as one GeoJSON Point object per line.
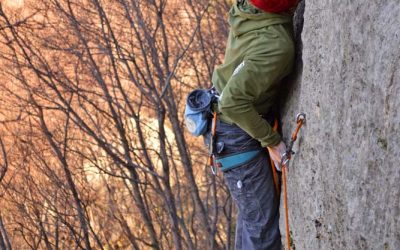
{"type": "Point", "coordinates": [93, 150]}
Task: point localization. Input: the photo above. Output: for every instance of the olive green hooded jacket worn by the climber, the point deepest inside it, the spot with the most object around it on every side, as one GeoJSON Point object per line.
{"type": "Point", "coordinates": [259, 53]}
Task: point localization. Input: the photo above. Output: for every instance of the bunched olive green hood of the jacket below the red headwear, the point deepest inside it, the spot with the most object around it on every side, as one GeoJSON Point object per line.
{"type": "Point", "coordinates": [242, 22]}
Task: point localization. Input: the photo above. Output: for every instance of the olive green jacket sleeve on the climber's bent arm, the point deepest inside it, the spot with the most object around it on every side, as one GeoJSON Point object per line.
{"type": "Point", "coordinates": [255, 82]}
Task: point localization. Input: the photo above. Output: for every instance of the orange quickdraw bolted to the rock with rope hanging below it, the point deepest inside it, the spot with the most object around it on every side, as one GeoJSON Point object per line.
{"type": "Point", "coordinates": [300, 119]}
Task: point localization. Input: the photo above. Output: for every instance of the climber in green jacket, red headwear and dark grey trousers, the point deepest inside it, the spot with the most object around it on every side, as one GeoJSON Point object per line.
{"type": "Point", "coordinates": [259, 53]}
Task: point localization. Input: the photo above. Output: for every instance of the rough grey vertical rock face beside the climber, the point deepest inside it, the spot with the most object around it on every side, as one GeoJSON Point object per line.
{"type": "Point", "coordinates": [344, 181]}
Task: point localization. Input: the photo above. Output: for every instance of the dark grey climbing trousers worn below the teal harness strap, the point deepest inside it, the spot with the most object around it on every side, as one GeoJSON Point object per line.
{"type": "Point", "coordinates": [252, 188]}
